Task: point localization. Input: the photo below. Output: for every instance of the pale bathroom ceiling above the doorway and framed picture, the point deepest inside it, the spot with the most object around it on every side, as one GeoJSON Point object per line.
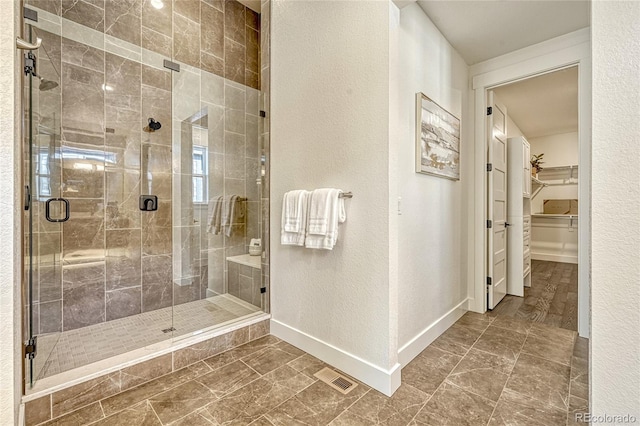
{"type": "Point", "coordinates": [483, 29]}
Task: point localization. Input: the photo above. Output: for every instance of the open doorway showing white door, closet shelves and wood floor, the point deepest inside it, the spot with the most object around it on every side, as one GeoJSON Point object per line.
{"type": "Point", "coordinates": [533, 199]}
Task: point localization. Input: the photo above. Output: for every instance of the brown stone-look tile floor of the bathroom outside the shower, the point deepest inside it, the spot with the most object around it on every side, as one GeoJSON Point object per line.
{"type": "Point", "coordinates": [485, 370]}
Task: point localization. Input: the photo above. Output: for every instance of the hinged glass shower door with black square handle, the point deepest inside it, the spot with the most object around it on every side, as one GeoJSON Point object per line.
{"type": "Point", "coordinates": [45, 208]}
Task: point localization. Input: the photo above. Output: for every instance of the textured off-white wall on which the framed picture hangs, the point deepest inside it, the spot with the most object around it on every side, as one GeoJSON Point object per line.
{"type": "Point", "coordinates": [431, 230]}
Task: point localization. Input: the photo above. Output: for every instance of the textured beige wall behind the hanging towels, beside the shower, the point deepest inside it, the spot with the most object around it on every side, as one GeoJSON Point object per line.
{"type": "Point", "coordinates": [330, 127]}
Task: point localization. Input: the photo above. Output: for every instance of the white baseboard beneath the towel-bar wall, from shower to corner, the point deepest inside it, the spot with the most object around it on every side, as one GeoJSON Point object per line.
{"type": "Point", "coordinates": [385, 381]}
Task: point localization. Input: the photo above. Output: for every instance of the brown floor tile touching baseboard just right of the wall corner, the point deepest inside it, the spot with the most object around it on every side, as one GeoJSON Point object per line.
{"type": "Point", "coordinates": [429, 369]}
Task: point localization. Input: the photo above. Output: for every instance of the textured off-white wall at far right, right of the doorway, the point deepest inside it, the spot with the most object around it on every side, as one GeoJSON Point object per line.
{"type": "Point", "coordinates": [615, 324]}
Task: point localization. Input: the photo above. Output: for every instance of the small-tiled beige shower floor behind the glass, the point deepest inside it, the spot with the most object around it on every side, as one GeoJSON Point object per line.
{"type": "Point", "coordinates": [59, 352]}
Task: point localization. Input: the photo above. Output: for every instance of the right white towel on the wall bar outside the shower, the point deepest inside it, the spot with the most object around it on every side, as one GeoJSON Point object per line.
{"type": "Point", "coordinates": [334, 213]}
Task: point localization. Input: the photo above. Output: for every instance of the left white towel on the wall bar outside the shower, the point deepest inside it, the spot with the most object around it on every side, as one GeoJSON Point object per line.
{"type": "Point", "coordinates": [294, 217]}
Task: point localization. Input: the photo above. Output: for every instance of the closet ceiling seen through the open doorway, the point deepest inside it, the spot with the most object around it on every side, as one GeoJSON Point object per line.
{"type": "Point", "coordinates": [544, 105]}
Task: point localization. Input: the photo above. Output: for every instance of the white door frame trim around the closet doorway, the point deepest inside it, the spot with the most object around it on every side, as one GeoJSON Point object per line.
{"type": "Point", "coordinates": [566, 51]}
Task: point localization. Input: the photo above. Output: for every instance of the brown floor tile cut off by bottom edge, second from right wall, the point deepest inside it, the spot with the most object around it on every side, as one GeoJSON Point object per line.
{"type": "Point", "coordinates": [514, 409]}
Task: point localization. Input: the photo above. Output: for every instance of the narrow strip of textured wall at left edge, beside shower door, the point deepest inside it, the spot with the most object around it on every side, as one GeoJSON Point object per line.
{"type": "Point", "coordinates": [10, 230]}
